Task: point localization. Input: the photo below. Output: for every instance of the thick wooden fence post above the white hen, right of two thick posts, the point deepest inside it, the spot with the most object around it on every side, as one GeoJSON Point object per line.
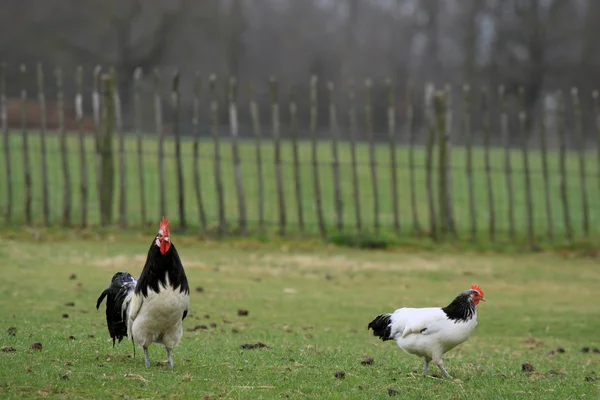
{"type": "Point", "coordinates": [440, 116]}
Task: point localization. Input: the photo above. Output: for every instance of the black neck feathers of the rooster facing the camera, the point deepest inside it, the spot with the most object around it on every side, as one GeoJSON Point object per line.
{"type": "Point", "coordinates": [158, 268]}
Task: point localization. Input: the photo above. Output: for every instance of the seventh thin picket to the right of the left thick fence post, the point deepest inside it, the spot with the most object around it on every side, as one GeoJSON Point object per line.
{"type": "Point", "coordinates": [239, 179]}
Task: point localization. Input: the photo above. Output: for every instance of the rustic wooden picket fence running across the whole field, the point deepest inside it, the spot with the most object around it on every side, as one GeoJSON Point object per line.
{"type": "Point", "coordinates": [469, 191]}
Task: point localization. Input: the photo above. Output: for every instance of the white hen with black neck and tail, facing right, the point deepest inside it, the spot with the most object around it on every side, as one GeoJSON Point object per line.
{"type": "Point", "coordinates": [431, 332]}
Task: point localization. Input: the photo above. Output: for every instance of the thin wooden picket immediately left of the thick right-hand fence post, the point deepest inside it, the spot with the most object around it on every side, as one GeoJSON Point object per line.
{"type": "Point", "coordinates": [430, 142]}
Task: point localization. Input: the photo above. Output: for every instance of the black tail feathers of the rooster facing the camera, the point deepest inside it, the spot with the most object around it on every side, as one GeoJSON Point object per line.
{"type": "Point", "coordinates": [122, 283]}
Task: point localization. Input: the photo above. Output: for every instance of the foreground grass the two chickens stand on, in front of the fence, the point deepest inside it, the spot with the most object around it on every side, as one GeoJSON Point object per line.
{"type": "Point", "coordinates": [310, 304]}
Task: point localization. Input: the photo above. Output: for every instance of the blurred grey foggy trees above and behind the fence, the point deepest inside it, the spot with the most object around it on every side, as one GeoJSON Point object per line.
{"type": "Point", "coordinates": [539, 45]}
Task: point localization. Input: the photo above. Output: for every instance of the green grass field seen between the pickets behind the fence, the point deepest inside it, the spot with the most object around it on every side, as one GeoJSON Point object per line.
{"type": "Point", "coordinates": [249, 174]}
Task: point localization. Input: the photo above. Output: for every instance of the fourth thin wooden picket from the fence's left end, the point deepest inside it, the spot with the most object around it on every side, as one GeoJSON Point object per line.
{"type": "Point", "coordinates": [63, 148]}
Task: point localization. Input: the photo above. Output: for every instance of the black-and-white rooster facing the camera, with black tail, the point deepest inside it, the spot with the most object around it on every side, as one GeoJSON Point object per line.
{"type": "Point", "coordinates": [151, 309]}
